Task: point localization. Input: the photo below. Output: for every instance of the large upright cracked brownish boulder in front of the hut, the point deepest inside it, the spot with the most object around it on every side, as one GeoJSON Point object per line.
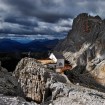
{"type": "Point", "coordinates": [33, 77]}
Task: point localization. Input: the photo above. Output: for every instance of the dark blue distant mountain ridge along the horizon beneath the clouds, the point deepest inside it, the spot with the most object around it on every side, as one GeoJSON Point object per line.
{"type": "Point", "coordinates": [8, 45]}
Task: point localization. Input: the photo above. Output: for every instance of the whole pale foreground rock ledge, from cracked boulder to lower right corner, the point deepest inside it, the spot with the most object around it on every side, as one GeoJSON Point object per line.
{"type": "Point", "coordinates": [46, 87]}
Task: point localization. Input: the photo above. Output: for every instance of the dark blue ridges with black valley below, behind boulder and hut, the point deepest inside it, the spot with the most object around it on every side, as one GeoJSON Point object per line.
{"type": "Point", "coordinates": [11, 51]}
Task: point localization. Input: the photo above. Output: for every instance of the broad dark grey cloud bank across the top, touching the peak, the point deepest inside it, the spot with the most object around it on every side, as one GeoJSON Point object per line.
{"type": "Point", "coordinates": [53, 10]}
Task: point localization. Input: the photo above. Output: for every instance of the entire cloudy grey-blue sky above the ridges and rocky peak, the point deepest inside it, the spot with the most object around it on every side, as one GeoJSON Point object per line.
{"type": "Point", "coordinates": [39, 19]}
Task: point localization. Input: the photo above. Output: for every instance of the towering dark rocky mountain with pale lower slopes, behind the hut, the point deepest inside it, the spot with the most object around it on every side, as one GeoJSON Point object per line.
{"type": "Point", "coordinates": [84, 47]}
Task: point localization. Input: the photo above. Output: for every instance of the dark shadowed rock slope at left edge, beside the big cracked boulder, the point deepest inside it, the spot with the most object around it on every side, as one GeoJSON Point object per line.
{"type": "Point", "coordinates": [8, 84]}
